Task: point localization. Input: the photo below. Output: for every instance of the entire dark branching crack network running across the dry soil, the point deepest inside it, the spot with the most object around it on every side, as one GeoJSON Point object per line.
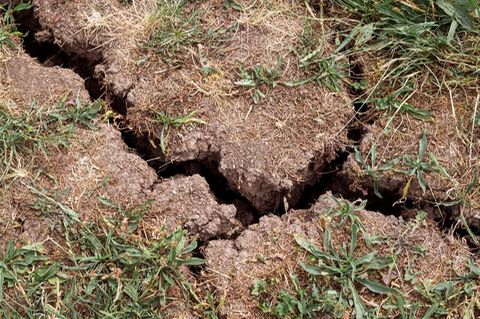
{"type": "Point", "coordinates": [51, 54]}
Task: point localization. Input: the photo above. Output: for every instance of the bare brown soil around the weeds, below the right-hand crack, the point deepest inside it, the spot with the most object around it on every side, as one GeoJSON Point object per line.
{"type": "Point", "coordinates": [267, 250]}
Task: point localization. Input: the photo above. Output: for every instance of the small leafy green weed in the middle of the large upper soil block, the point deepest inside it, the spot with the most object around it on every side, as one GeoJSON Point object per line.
{"type": "Point", "coordinates": [259, 76]}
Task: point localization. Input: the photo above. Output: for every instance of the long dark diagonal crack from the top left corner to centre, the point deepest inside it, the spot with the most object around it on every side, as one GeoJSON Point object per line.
{"type": "Point", "coordinates": [50, 54]}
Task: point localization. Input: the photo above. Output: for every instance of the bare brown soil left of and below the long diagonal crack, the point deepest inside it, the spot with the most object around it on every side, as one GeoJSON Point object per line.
{"type": "Point", "coordinates": [95, 163]}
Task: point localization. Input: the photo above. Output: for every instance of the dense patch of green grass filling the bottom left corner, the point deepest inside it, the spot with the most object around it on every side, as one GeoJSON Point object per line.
{"type": "Point", "coordinates": [107, 270]}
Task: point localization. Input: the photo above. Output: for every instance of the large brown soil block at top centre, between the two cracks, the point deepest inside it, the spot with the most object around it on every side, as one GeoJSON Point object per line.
{"type": "Point", "coordinates": [270, 138]}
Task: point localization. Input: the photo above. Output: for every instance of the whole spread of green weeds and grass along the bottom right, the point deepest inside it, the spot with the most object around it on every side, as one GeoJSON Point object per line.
{"type": "Point", "coordinates": [337, 279]}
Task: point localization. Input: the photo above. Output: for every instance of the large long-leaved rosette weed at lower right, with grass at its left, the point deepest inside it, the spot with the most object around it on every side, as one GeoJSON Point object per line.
{"type": "Point", "coordinates": [334, 273]}
